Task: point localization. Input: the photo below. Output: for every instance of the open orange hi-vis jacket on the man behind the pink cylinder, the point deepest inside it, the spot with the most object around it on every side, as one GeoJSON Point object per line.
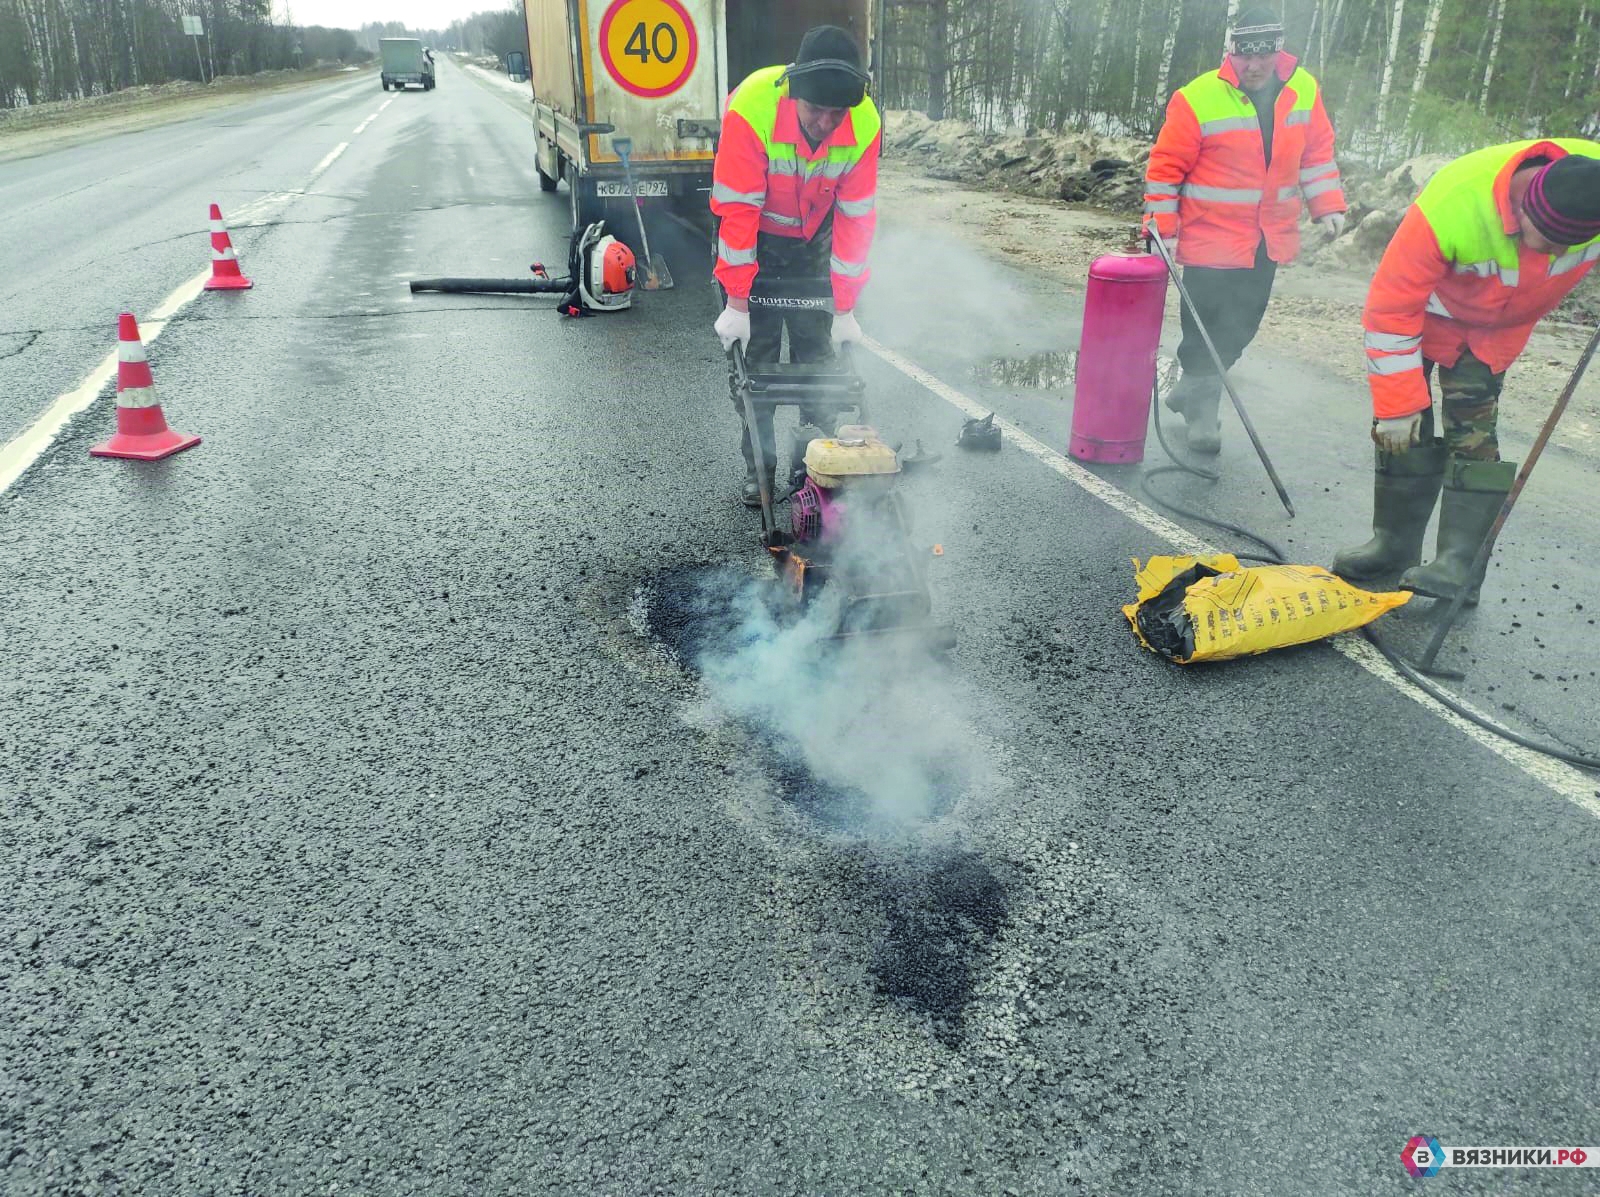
{"type": "Point", "coordinates": [1209, 182]}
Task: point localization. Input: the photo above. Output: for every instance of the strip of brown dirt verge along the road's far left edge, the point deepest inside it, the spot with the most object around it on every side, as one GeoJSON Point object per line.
{"type": "Point", "coordinates": [44, 129]}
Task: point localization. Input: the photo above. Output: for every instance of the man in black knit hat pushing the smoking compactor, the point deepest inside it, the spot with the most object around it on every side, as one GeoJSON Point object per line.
{"type": "Point", "coordinates": [796, 190]}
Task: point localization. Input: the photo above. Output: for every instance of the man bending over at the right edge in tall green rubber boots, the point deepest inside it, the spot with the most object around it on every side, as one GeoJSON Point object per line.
{"type": "Point", "coordinates": [1495, 241]}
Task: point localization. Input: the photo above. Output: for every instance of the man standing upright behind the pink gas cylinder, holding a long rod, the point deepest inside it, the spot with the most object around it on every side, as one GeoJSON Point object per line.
{"type": "Point", "coordinates": [1239, 151]}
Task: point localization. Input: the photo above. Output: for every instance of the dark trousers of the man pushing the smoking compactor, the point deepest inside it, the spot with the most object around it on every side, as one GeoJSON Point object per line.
{"type": "Point", "coordinates": [810, 334]}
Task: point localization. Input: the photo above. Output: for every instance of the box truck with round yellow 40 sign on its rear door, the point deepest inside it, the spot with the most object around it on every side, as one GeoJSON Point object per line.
{"type": "Point", "coordinates": [652, 78]}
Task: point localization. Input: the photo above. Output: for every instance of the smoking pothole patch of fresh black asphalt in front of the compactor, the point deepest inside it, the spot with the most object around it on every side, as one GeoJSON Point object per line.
{"type": "Point", "coordinates": [865, 747]}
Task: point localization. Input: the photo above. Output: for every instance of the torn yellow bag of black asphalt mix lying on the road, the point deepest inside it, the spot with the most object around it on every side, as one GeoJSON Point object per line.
{"type": "Point", "coordinates": [1210, 609]}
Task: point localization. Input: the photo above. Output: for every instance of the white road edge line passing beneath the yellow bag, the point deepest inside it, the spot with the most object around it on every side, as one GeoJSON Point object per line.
{"type": "Point", "coordinates": [1570, 783]}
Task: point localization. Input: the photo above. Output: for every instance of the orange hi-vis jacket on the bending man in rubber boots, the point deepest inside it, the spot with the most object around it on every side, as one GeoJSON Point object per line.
{"type": "Point", "coordinates": [1457, 276]}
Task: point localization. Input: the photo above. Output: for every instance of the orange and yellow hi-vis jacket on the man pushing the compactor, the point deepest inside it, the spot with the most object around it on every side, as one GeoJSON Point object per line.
{"type": "Point", "coordinates": [767, 178]}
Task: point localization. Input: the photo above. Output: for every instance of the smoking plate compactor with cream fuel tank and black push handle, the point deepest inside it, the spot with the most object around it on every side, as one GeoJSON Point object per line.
{"type": "Point", "coordinates": [847, 526]}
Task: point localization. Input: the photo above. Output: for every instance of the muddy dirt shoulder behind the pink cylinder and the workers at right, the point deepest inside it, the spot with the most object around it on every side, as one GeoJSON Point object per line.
{"type": "Point", "coordinates": [1316, 311]}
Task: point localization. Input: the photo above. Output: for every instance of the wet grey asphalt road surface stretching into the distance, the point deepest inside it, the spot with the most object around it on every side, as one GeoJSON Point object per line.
{"type": "Point", "coordinates": [402, 796]}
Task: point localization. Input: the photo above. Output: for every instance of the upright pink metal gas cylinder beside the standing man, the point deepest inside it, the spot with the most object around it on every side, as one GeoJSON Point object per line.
{"type": "Point", "coordinates": [1116, 372]}
